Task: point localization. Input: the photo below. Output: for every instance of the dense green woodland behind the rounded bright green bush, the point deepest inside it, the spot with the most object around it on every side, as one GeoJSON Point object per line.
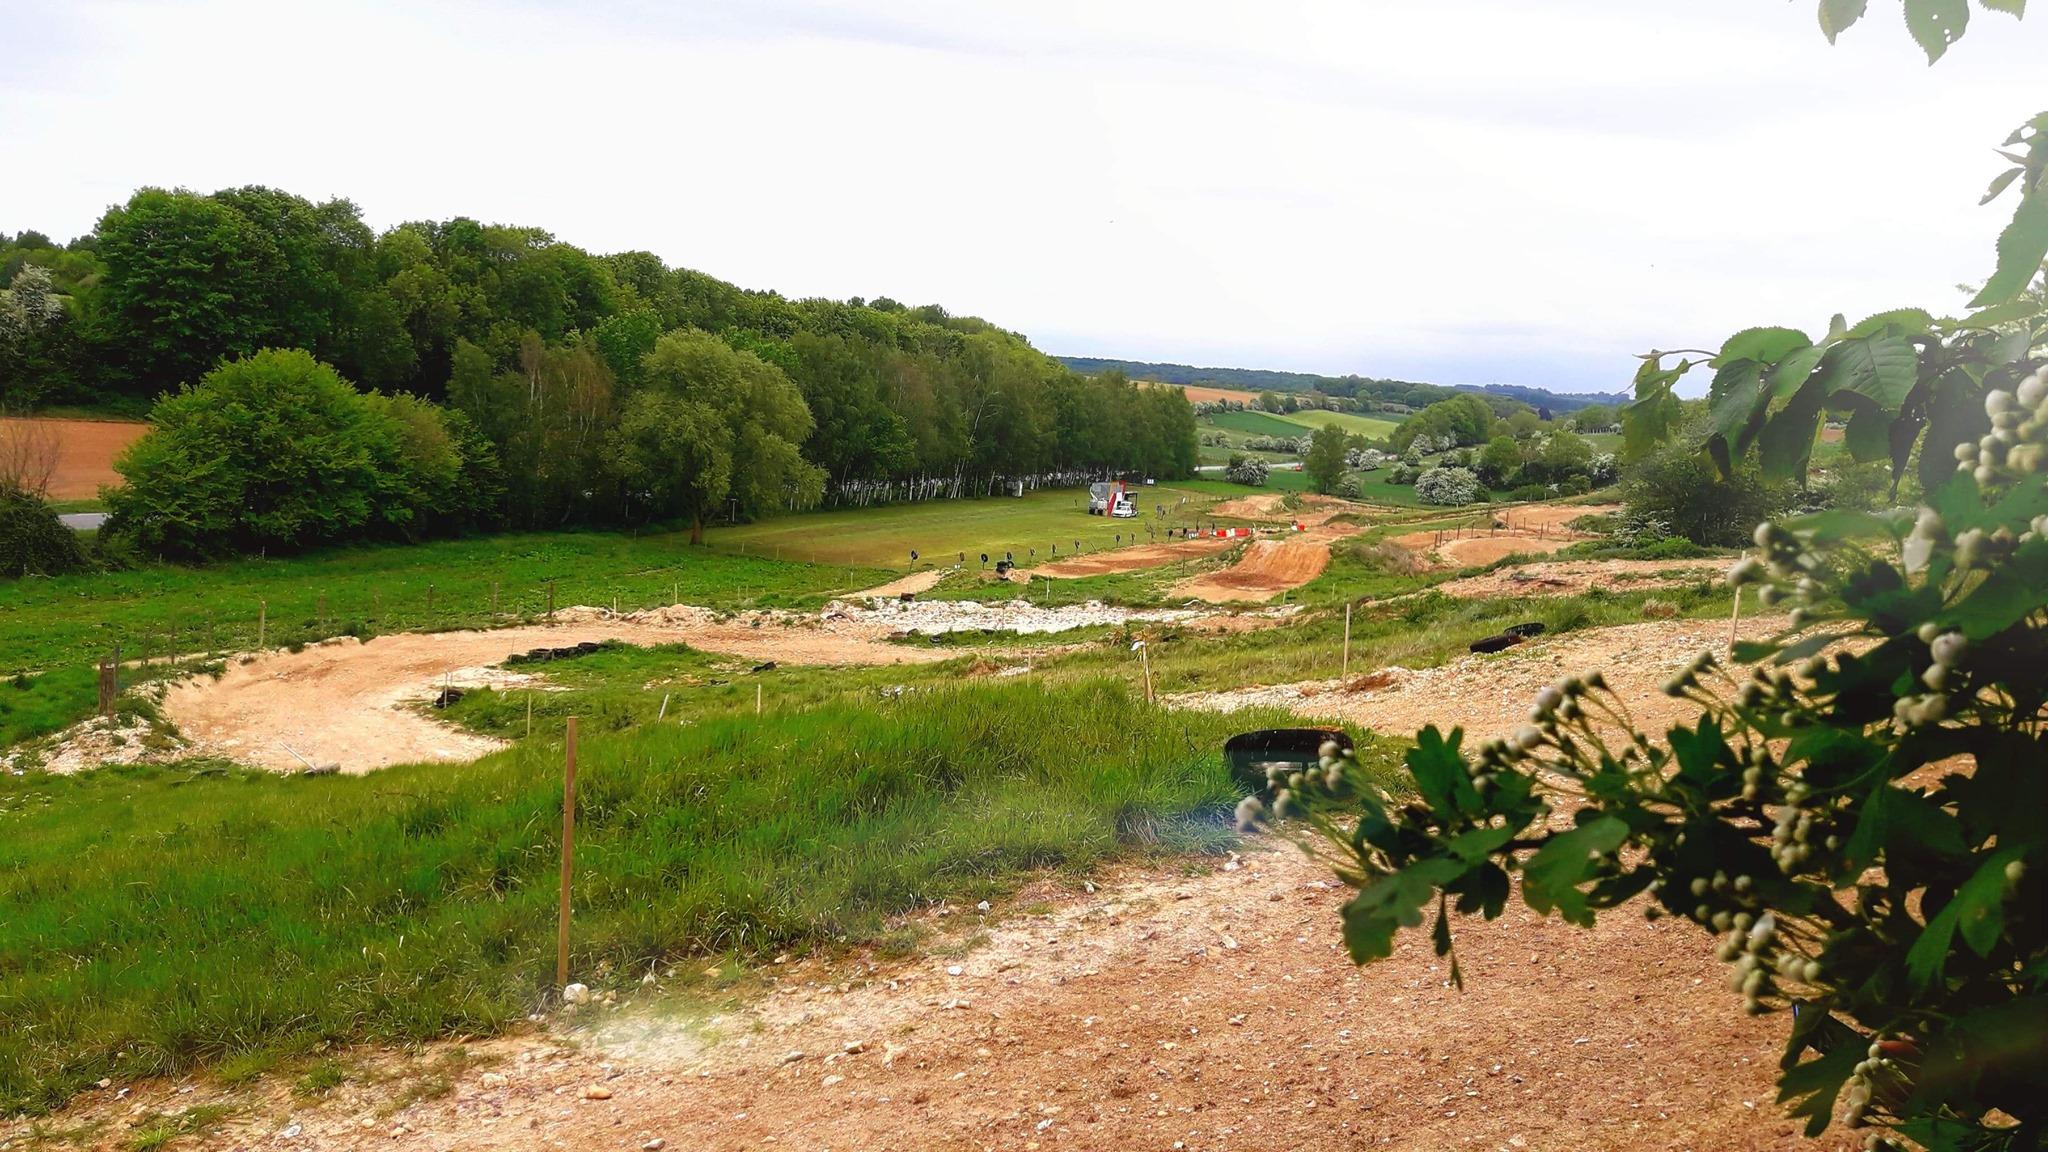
{"type": "Point", "coordinates": [601, 388]}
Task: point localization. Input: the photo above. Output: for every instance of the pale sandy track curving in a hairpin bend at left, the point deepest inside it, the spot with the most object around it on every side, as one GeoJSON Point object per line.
{"type": "Point", "coordinates": [351, 704]}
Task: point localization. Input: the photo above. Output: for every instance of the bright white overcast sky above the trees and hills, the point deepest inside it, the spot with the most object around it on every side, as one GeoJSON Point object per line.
{"type": "Point", "coordinates": [1455, 192]}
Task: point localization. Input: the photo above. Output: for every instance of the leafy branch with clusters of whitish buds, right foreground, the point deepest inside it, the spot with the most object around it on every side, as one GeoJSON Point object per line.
{"type": "Point", "coordinates": [1861, 821]}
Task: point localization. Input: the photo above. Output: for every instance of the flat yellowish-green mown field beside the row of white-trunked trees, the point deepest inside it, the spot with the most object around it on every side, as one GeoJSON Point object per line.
{"type": "Point", "coordinates": [945, 530]}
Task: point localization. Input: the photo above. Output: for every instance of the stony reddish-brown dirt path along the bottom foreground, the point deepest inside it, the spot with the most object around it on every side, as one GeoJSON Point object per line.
{"type": "Point", "coordinates": [1160, 1012]}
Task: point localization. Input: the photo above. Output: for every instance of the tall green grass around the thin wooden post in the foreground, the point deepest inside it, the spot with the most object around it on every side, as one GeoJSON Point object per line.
{"type": "Point", "coordinates": [161, 917]}
